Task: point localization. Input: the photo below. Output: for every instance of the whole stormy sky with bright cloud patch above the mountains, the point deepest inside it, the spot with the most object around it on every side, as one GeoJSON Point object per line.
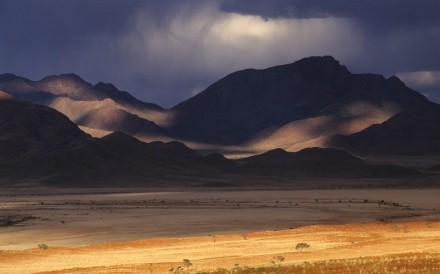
{"type": "Point", "coordinates": [165, 51]}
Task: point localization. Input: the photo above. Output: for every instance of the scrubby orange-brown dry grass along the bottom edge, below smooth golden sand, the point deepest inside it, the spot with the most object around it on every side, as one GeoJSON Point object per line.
{"type": "Point", "coordinates": [417, 263]}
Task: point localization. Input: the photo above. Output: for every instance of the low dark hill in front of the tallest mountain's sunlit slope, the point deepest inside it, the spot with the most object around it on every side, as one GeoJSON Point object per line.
{"type": "Point", "coordinates": [318, 162]}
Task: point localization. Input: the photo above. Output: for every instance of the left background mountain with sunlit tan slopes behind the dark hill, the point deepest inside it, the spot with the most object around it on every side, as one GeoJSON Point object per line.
{"type": "Point", "coordinates": [99, 107]}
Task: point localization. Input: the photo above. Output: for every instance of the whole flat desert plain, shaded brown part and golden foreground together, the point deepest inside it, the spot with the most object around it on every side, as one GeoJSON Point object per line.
{"type": "Point", "coordinates": [220, 230]}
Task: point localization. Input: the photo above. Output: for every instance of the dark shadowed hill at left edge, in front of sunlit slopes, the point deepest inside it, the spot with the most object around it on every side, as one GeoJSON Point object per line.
{"type": "Point", "coordinates": [27, 132]}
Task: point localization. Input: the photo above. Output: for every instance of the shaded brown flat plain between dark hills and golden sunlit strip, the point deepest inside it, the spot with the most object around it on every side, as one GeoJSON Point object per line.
{"type": "Point", "coordinates": [75, 218]}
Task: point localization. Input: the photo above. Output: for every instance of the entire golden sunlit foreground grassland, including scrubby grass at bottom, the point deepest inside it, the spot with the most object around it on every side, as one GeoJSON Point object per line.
{"type": "Point", "coordinates": [379, 247]}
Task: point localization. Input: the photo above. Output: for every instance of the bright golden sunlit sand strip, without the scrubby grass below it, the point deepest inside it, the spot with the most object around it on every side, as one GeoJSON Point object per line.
{"type": "Point", "coordinates": [249, 249]}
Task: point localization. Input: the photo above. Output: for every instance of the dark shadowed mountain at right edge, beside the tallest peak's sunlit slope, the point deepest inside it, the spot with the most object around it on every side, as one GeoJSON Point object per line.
{"type": "Point", "coordinates": [411, 132]}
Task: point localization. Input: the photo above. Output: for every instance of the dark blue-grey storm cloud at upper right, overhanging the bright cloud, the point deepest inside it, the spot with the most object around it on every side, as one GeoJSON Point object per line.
{"type": "Point", "coordinates": [411, 28]}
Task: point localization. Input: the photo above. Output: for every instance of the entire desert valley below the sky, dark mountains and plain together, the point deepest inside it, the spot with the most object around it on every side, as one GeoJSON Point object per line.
{"type": "Point", "coordinates": [303, 167]}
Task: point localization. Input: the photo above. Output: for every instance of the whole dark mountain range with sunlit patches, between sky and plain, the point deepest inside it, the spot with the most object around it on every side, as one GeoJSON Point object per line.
{"type": "Point", "coordinates": [63, 129]}
